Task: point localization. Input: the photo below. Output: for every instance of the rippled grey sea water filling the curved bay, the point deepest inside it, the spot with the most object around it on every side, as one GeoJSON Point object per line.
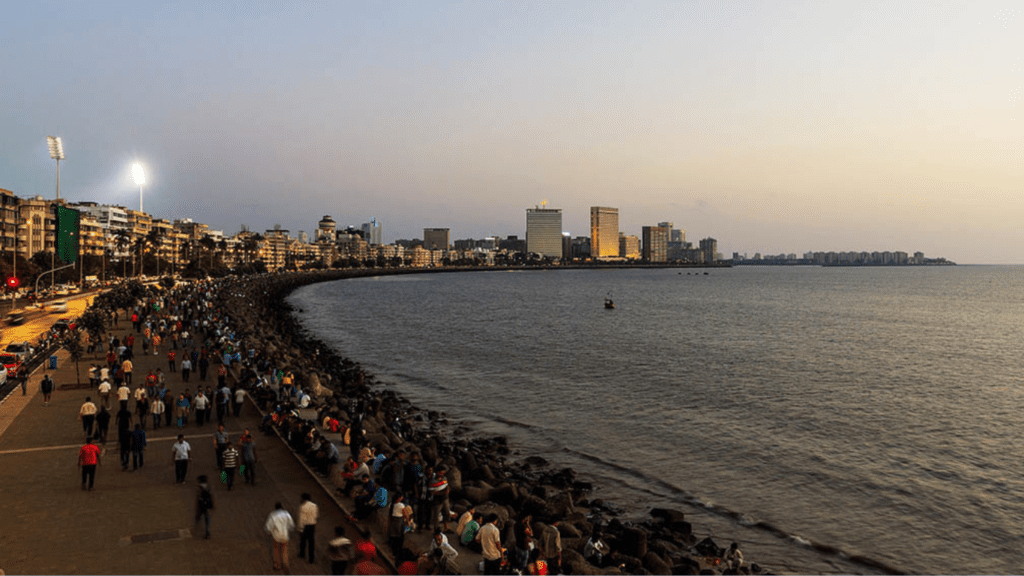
{"type": "Point", "coordinates": [873, 412]}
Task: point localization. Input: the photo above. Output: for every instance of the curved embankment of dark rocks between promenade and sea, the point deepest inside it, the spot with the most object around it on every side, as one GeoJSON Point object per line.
{"type": "Point", "coordinates": [481, 472]}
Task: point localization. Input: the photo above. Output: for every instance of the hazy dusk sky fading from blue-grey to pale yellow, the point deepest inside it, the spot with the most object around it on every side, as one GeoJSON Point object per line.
{"type": "Point", "coordinates": [775, 128]}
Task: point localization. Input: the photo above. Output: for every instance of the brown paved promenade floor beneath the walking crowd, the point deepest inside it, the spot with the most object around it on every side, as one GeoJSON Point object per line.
{"type": "Point", "coordinates": [141, 522]}
